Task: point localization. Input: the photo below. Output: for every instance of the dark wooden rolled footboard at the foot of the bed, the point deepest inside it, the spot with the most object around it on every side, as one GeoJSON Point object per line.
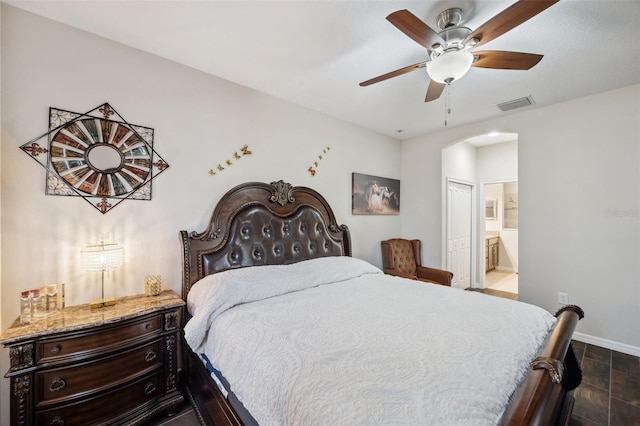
{"type": "Point", "coordinates": [544, 396]}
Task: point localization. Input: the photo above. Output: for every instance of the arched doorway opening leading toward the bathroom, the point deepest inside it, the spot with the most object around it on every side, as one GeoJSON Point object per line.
{"type": "Point", "coordinates": [479, 161]}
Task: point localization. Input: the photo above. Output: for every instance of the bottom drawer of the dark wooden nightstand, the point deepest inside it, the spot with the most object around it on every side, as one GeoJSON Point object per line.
{"type": "Point", "coordinates": [104, 409]}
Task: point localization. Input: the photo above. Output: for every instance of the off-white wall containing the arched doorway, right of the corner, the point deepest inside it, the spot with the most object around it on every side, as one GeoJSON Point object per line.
{"type": "Point", "coordinates": [579, 185]}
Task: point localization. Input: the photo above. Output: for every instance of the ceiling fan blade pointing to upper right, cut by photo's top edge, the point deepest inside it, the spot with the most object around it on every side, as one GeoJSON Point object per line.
{"type": "Point", "coordinates": [508, 19]}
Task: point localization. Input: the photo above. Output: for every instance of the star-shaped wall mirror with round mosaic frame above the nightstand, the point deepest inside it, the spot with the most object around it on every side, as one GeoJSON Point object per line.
{"type": "Point", "coordinates": [97, 155]}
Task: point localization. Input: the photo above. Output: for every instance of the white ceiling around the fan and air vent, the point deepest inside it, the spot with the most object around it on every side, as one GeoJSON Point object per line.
{"type": "Point", "coordinates": [314, 53]}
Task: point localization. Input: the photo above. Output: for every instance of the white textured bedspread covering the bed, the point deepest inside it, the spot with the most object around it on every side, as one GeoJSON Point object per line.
{"type": "Point", "coordinates": [333, 341]}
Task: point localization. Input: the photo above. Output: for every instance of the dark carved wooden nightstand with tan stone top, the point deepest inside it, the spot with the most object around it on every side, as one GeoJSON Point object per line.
{"type": "Point", "coordinates": [113, 365]}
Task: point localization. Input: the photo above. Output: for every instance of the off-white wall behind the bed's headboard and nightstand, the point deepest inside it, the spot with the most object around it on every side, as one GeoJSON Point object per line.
{"type": "Point", "coordinates": [199, 121]}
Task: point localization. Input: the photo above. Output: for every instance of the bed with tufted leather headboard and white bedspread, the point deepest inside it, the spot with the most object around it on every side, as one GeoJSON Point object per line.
{"type": "Point", "coordinates": [283, 326]}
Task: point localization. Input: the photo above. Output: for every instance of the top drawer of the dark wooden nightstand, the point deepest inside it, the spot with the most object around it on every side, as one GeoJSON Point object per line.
{"type": "Point", "coordinates": [88, 343]}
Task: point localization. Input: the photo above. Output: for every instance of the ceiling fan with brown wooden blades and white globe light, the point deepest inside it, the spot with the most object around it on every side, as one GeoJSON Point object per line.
{"type": "Point", "coordinates": [450, 55]}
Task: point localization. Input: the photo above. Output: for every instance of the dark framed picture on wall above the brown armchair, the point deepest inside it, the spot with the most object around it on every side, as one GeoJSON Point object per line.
{"type": "Point", "coordinates": [374, 195]}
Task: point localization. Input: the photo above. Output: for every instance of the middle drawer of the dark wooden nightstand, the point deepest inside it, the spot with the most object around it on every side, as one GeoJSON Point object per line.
{"type": "Point", "coordinates": [57, 385]}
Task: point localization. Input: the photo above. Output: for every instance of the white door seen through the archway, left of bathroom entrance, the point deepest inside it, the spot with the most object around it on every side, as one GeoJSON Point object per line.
{"type": "Point", "coordinates": [459, 224]}
